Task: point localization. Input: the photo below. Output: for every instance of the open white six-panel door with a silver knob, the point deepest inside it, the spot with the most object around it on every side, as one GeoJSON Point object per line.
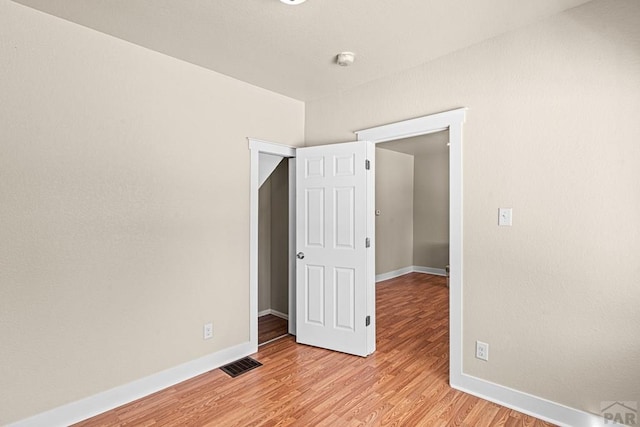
{"type": "Point", "coordinates": [335, 249]}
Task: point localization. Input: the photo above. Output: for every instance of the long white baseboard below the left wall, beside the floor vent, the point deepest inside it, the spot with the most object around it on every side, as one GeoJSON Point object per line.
{"type": "Point", "coordinates": [97, 404]}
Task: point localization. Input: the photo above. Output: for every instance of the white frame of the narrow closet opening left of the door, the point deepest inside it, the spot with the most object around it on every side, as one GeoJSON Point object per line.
{"type": "Point", "coordinates": [258, 146]}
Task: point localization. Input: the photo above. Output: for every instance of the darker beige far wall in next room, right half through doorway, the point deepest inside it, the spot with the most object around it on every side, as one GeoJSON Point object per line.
{"type": "Point", "coordinates": [431, 209]}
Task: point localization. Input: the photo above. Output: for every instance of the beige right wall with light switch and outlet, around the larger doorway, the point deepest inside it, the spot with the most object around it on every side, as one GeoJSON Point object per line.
{"type": "Point", "coordinates": [552, 131]}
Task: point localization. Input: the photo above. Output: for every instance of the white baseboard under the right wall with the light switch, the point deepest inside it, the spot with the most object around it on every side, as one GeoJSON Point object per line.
{"type": "Point", "coordinates": [538, 407]}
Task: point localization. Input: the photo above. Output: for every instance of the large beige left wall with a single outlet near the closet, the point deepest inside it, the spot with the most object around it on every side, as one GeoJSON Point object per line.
{"type": "Point", "coordinates": [124, 204]}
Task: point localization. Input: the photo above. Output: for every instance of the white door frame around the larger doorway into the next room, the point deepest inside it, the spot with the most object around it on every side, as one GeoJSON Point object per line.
{"type": "Point", "coordinates": [452, 121]}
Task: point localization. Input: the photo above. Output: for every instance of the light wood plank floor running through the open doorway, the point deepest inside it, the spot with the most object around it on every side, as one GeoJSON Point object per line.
{"type": "Point", "coordinates": [404, 383]}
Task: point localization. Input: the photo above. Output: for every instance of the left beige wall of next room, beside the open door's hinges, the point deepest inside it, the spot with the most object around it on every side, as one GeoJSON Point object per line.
{"type": "Point", "coordinates": [394, 199]}
